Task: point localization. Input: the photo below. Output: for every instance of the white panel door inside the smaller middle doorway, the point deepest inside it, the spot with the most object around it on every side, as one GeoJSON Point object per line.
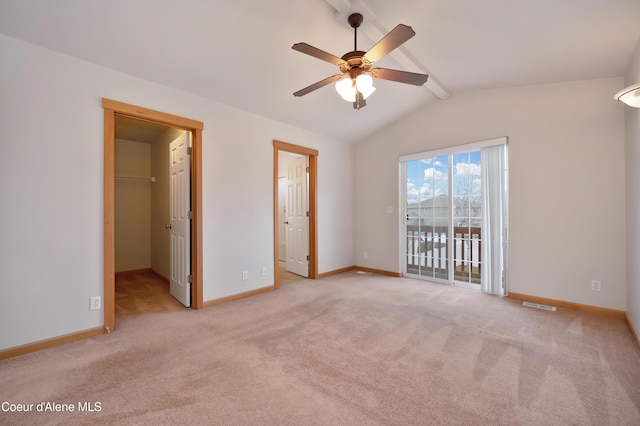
{"type": "Point", "coordinates": [297, 223]}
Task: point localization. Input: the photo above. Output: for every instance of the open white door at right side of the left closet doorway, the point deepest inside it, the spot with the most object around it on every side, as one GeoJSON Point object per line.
{"type": "Point", "coordinates": [180, 245]}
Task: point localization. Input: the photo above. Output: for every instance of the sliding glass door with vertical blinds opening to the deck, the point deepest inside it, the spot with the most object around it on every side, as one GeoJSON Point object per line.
{"type": "Point", "coordinates": [446, 232]}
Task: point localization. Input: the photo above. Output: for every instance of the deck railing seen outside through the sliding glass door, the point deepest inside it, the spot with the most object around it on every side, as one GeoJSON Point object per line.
{"type": "Point", "coordinates": [427, 252]}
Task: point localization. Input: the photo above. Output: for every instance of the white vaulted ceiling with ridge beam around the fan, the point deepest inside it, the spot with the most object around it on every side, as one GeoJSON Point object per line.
{"type": "Point", "coordinates": [239, 52]}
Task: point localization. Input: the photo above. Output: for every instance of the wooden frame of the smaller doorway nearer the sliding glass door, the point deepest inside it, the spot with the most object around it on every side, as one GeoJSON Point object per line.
{"type": "Point", "coordinates": [313, 203]}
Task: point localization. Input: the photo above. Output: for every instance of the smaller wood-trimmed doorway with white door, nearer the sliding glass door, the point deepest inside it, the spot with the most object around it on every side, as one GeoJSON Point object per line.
{"type": "Point", "coordinates": [297, 238]}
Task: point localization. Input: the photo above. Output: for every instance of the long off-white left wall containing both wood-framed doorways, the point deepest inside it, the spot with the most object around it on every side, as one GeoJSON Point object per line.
{"type": "Point", "coordinates": [59, 268]}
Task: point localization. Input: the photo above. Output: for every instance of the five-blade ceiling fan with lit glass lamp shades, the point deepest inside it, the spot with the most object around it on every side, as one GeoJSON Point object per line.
{"type": "Point", "coordinates": [355, 83]}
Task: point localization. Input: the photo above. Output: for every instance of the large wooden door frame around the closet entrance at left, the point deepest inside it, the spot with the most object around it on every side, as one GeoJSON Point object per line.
{"type": "Point", "coordinates": [111, 110]}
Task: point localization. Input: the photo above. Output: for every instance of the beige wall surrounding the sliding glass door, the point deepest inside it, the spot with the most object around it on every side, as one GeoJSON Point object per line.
{"type": "Point", "coordinates": [567, 196]}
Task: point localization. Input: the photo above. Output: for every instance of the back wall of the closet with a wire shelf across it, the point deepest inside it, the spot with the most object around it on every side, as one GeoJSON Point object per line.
{"type": "Point", "coordinates": [132, 206]}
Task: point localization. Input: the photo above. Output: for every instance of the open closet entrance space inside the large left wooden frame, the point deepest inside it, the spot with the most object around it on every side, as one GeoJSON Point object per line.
{"type": "Point", "coordinates": [144, 264]}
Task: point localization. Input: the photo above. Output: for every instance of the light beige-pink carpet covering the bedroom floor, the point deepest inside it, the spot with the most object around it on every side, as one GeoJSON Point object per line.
{"type": "Point", "coordinates": [349, 349]}
